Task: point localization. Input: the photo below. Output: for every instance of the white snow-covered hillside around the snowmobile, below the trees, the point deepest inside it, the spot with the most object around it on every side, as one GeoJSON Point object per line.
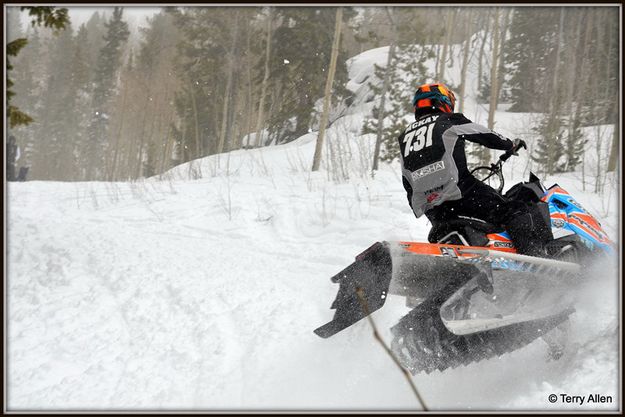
{"type": "Point", "coordinates": [201, 289]}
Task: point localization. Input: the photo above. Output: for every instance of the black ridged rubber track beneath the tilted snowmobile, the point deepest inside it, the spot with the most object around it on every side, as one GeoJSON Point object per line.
{"type": "Point", "coordinates": [423, 343]}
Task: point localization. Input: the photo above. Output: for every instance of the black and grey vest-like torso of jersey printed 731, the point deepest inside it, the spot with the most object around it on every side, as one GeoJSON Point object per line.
{"type": "Point", "coordinates": [428, 165]}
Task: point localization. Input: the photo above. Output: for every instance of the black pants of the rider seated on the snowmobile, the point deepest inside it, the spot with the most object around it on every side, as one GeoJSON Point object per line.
{"type": "Point", "coordinates": [523, 221]}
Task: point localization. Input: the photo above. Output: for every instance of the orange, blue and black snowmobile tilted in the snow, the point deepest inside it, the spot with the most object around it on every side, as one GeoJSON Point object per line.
{"type": "Point", "coordinates": [472, 296]}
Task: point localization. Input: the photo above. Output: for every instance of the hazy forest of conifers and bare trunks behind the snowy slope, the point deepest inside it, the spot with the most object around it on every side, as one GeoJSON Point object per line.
{"type": "Point", "coordinates": [106, 103]}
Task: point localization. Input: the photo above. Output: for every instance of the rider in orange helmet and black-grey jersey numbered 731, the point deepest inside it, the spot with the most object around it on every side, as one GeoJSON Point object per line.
{"type": "Point", "coordinates": [438, 183]}
